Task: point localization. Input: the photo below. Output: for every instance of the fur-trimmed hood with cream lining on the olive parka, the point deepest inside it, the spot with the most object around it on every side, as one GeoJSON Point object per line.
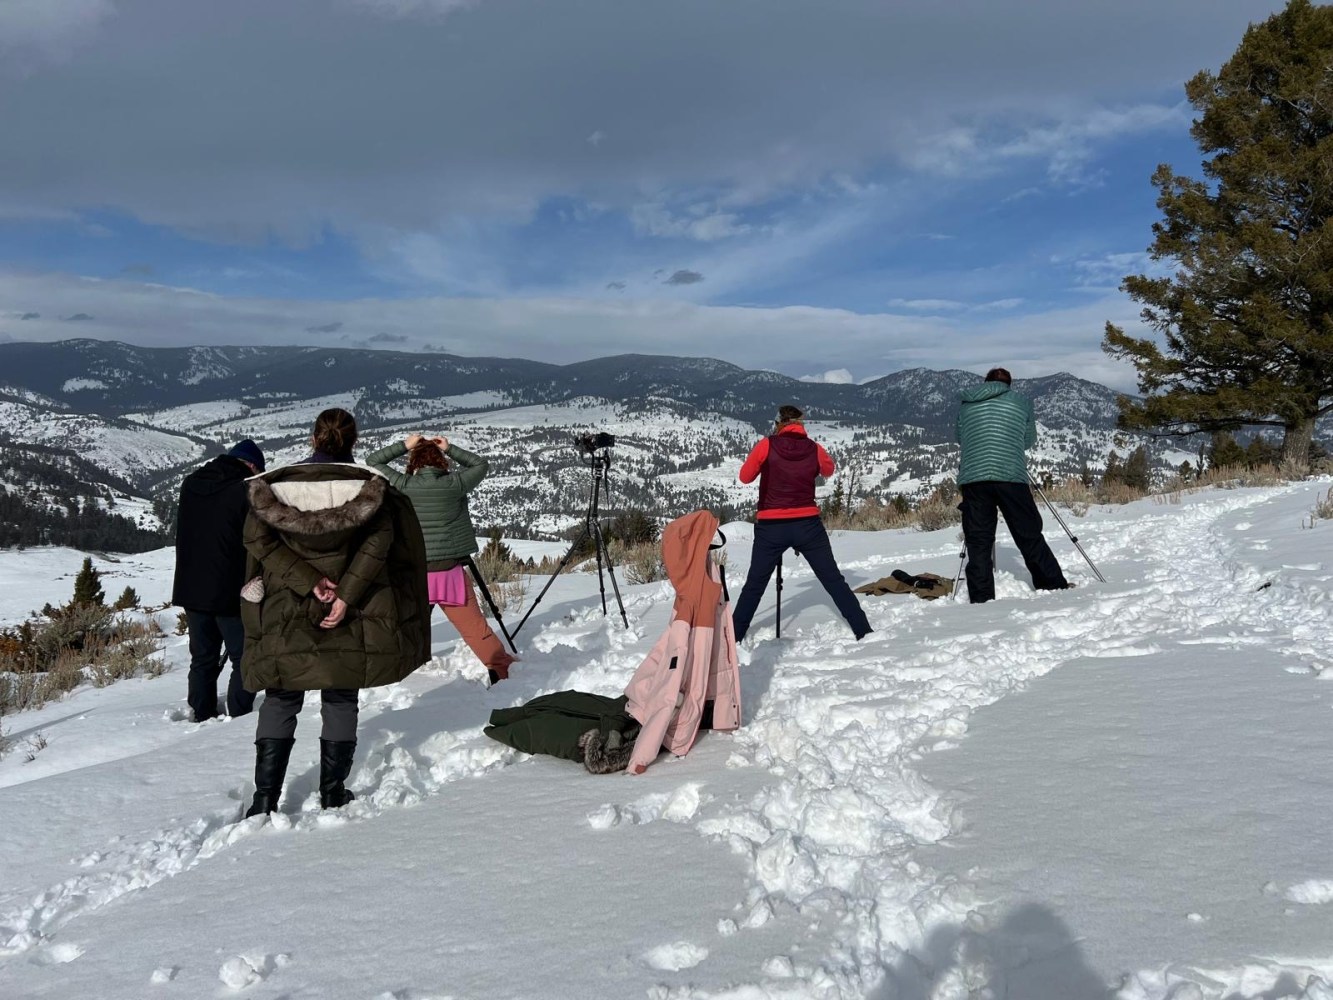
{"type": "Point", "coordinates": [317, 499]}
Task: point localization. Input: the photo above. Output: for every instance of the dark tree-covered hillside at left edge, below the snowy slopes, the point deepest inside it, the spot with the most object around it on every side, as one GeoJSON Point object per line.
{"type": "Point", "coordinates": [53, 498]}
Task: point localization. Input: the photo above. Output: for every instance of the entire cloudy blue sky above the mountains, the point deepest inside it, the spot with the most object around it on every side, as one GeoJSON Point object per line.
{"type": "Point", "coordinates": [842, 189]}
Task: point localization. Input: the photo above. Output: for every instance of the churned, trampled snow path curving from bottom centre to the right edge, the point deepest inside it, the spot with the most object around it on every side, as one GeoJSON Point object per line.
{"type": "Point", "coordinates": [835, 835]}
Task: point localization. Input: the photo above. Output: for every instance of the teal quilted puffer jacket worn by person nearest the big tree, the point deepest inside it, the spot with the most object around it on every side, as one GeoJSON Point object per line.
{"type": "Point", "coordinates": [995, 429]}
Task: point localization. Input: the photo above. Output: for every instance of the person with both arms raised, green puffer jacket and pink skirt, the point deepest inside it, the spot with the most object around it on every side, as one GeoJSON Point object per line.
{"type": "Point", "coordinates": [439, 497]}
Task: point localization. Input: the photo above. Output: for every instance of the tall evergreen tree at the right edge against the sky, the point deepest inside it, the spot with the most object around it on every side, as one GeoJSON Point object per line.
{"type": "Point", "coordinates": [1247, 310]}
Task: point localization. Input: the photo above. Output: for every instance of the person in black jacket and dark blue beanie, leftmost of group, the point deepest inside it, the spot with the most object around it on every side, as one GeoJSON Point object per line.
{"type": "Point", "coordinates": [210, 575]}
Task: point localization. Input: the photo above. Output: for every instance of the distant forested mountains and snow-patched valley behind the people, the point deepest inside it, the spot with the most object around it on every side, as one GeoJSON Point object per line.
{"type": "Point", "coordinates": [138, 419]}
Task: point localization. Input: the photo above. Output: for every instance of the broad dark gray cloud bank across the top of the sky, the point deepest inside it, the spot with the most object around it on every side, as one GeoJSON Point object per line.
{"type": "Point", "coordinates": [918, 86]}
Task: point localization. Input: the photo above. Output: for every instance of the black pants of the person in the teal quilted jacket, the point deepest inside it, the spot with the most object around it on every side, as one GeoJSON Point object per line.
{"type": "Point", "coordinates": [980, 503]}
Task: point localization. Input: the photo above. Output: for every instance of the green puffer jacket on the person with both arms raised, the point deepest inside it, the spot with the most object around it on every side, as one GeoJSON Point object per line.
{"type": "Point", "coordinates": [441, 501]}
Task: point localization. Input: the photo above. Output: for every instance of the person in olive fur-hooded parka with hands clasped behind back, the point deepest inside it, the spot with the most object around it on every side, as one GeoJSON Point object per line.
{"type": "Point", "coordinates": [335, 602]}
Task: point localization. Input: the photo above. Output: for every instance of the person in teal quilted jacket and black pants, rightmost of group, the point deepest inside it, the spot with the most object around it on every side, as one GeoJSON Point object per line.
{"type": "Point", "coordinates": [995, 429]}
